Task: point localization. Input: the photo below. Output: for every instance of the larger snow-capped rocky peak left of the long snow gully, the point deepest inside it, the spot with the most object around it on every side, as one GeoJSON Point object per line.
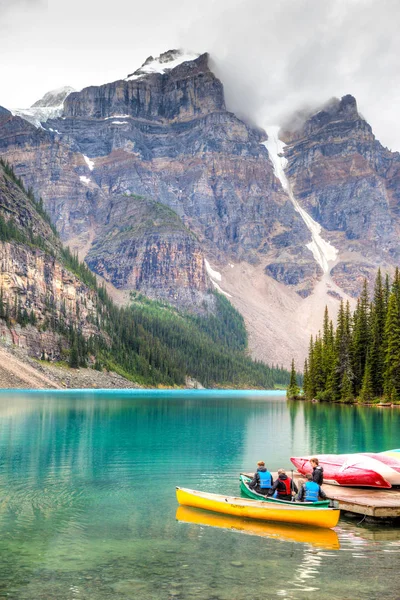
{"type": "Point", "coordinates": [168, 137]}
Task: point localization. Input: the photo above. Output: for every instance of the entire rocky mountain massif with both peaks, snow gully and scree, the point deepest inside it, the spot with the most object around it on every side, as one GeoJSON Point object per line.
{"type": "Point", "coordinates": [149, 176]}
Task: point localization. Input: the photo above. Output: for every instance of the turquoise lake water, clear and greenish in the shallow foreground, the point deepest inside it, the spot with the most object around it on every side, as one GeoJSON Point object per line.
{"type": "Point", "coordinates": [88, 508]}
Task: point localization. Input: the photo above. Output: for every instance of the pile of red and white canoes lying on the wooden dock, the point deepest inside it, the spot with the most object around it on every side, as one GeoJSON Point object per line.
{"type": "Point", "coordinates": [366, 470]}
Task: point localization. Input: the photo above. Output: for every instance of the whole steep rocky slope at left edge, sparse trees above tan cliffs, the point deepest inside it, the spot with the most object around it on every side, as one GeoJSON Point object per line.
{"type": "Point", "coordinates": [34, 281]}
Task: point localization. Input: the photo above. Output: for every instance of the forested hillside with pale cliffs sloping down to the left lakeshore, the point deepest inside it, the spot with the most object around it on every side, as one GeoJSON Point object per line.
{"type": "Point", "coordinates": [149, 342]}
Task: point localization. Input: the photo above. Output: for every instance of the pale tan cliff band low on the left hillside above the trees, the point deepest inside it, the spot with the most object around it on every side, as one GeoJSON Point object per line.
{"type": "Point", "coordinates": [39, 284]}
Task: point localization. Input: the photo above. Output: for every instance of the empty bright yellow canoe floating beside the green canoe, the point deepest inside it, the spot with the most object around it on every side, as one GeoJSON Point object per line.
{"type": "Point", "coordinates": [254, 509]}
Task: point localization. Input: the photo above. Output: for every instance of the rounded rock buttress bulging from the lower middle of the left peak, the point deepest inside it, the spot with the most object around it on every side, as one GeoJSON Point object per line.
{"type": "Point", "coordinates": [144, 246]}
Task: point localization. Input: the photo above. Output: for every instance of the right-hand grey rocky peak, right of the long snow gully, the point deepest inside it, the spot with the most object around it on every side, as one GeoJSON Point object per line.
{"type": "Point", "coordinates": [349, 183]}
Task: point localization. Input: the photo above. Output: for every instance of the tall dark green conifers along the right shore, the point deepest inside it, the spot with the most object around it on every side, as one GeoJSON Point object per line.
{"type": "Point", "coordinates": [360, 359]}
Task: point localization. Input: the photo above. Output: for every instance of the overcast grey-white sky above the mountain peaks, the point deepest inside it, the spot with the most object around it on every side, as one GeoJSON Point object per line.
{"type": "Point", "coordinates": [273, 56]}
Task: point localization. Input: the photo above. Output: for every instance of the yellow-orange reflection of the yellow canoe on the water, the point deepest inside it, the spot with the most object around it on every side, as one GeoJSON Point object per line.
{"type": "Point", "coordinates": [323, 538]}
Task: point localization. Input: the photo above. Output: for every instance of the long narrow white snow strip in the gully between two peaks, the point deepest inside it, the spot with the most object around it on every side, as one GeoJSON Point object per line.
{"type": "Point", "coordinates": [323, 252]}
